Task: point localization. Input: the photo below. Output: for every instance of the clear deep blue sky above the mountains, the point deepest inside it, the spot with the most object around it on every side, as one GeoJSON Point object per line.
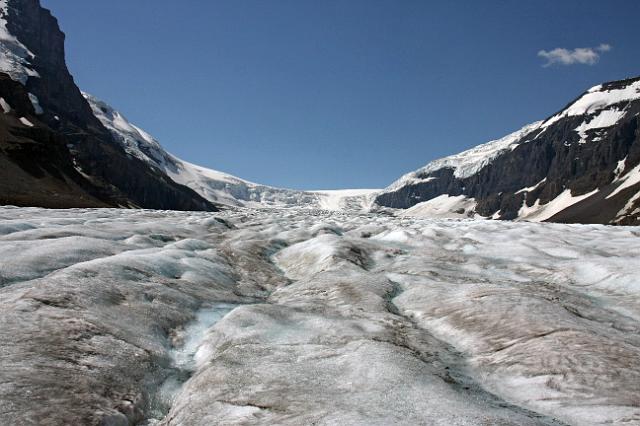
{"type": "Point", "coordinates": [341, 93]}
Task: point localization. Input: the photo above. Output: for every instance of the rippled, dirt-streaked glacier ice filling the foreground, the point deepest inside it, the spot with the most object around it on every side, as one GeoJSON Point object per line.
{"type": "Point", "coordinates": [248, 316]}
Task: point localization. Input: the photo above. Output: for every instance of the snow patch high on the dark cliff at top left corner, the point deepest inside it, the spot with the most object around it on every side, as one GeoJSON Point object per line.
{"type": "Point", "coordinates": [15, 58]}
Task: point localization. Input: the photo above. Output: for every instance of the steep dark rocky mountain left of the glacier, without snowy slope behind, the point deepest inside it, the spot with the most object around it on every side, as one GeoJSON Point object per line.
{"type": "Point", "coordinates": [32, 54]}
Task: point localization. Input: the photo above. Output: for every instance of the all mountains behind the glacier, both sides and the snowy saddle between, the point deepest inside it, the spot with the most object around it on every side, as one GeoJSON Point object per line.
{"type": "Point", "coordinates": [580, 164]}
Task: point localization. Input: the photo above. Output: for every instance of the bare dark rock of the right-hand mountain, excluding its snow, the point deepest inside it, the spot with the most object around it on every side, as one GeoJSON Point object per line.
{"type": "Point", "coordinates": [556, 154]}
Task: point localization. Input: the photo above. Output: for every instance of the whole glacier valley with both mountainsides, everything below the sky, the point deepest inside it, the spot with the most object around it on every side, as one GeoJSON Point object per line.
{"type": "Point", "coordinates": [497, 286]}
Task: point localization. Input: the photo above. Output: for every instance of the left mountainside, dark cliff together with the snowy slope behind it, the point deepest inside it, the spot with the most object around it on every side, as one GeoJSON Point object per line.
{"type": "Point", "coordinates": [100, 158]}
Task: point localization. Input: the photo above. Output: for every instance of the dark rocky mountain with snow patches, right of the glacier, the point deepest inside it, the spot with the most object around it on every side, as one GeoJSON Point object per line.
{"type": "Point", "coordinates": [581, 165]}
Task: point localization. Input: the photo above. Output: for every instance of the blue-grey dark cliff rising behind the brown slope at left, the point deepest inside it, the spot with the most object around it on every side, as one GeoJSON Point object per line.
{"type": "Point", "coordinates": [118, 178]}
